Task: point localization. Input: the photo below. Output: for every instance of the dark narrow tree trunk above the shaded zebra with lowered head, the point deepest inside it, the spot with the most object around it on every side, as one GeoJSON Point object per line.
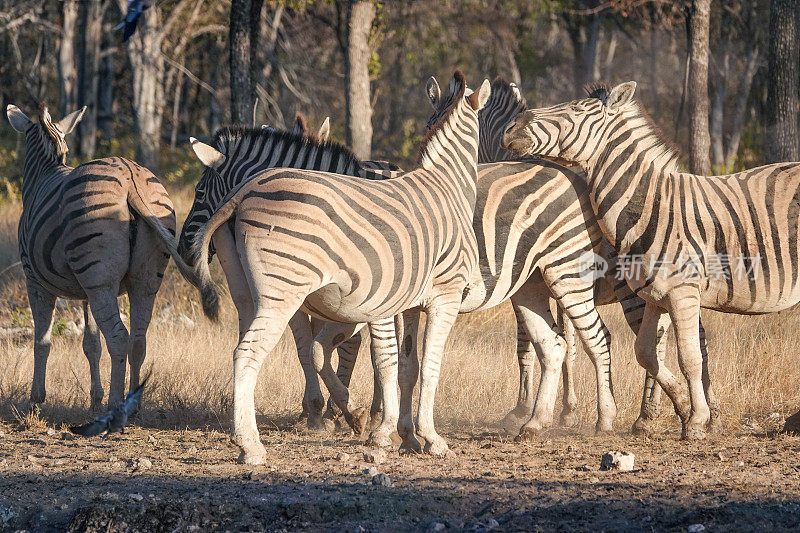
{"type": "Point", "coordinates": [239, 46]}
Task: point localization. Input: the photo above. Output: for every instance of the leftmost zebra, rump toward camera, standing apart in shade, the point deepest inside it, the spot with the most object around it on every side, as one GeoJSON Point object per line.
{"type": "Point", "coordinates": [90, 233]}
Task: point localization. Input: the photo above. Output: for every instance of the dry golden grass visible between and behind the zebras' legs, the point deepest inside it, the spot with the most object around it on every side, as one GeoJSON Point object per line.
{"type": "Point", "coordinates": [753, 363]}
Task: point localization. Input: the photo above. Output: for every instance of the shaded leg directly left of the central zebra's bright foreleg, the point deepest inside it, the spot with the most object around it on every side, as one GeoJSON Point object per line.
{"type": "Point", "coordinates": [408, 370]}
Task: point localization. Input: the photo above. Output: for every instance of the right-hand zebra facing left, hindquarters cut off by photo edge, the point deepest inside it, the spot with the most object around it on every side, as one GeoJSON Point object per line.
{"type": "Point", "coordinates": [725, 242]}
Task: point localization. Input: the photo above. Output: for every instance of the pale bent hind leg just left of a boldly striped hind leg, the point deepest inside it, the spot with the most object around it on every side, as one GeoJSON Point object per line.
{"type": "Point", "coordinates": [532, 304]}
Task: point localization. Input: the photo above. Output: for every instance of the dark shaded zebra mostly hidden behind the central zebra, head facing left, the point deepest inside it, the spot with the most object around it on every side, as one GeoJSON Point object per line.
{"type": "Point", "coordinates": [247, 152]}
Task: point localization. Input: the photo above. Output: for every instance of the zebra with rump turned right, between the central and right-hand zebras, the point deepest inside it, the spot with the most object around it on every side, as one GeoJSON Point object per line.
{"type": "Point", "coordinates": [526, 210]}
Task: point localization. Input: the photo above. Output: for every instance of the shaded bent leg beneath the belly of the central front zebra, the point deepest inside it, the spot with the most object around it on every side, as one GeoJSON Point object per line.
{"type": "Point", "coordinates": [331, 336]}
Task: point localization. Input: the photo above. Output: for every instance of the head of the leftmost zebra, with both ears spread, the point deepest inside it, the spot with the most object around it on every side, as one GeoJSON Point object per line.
{"type": "Point", "coordinates": [46, 137]}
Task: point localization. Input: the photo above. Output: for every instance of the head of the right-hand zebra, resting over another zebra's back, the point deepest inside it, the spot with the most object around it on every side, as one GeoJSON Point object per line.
{"type": "Point", "coordinates": [571, 131]}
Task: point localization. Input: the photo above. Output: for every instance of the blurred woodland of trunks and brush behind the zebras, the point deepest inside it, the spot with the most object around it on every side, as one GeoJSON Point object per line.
{"type": "Point", "coordinates": [721, 78]}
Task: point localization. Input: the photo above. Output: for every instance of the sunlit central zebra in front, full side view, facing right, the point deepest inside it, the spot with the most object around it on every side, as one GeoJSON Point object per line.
{"type": "Point", "coordinates": [352, 250]}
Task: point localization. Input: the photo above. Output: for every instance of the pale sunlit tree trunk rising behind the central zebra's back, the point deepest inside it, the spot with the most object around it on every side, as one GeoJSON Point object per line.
{"type": "Point", "coordinates": [360, 15]}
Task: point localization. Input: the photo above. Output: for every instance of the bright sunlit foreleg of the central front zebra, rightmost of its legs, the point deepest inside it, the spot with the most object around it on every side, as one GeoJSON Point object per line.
{"type": "Point", "coordinates": [442, 313]}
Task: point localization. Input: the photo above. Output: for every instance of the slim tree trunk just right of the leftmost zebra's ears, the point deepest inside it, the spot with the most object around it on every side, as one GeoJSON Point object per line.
{"type": "Point", "coordinates": [90, 16]}
